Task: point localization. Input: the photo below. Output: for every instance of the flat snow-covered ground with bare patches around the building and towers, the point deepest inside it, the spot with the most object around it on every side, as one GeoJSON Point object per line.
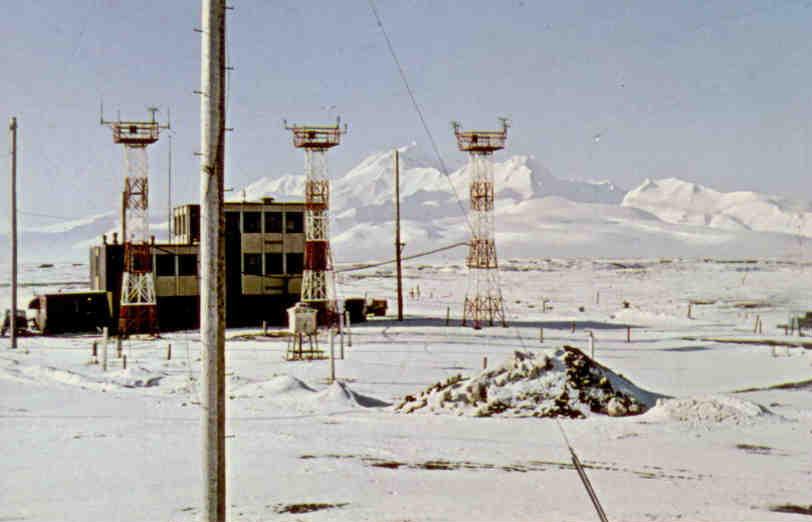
{"type": "Point", "coordinates": [80, 443]}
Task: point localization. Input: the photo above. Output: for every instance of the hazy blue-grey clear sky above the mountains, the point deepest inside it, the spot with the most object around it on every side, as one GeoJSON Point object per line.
{"type": "Point", "coordinates": [709, 91]}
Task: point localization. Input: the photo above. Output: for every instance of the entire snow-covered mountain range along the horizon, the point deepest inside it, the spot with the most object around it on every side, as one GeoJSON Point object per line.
{"type": "Point", "coordinates": [537, 214]}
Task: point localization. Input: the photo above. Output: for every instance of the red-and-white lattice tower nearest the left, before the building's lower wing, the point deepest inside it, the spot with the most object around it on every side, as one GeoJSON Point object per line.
{"type": "Point", "coordinates": [138, 311]}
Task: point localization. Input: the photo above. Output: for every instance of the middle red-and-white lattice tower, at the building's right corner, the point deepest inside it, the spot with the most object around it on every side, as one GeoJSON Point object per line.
{"type": "Point", "coordinates": [318, 281]}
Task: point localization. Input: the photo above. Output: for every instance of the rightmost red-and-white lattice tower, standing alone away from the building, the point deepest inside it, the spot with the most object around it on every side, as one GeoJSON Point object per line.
{"type": "Point", "coordinates": [483, 299]}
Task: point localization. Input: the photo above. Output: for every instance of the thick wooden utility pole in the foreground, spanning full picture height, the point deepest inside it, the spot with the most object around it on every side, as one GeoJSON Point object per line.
{"type": "Point", "coordinates": [212, 259]}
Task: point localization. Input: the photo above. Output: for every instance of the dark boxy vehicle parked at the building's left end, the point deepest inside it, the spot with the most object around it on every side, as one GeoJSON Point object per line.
{"type": "Point", "coordinates": [71, 312]}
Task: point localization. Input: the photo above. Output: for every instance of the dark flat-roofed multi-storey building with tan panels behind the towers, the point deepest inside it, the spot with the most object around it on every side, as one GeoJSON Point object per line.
{"type": "Point", "coordinates": [264, 257]}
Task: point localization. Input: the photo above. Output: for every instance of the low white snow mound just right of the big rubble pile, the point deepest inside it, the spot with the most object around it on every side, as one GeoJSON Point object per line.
{"type": "Point", "coordinates": [712, 409]}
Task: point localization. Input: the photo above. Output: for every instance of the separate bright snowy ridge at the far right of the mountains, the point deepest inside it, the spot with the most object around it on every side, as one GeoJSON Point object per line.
{"type": "Point", "coordinates": [677, 201]}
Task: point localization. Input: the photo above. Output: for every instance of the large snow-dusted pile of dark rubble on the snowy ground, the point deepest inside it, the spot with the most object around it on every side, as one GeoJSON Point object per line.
{"type": "Point", "coordinates": [564, 384]}
